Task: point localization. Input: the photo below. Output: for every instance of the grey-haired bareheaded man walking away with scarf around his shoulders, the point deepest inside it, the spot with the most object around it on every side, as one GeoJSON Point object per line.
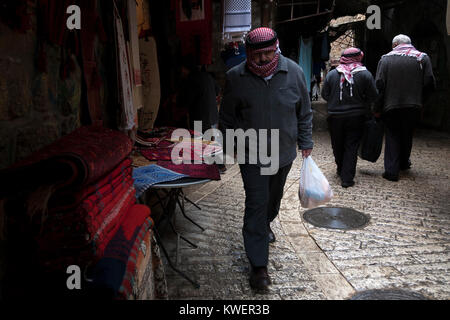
{"type": "Point", "coordinates": [405, 80]}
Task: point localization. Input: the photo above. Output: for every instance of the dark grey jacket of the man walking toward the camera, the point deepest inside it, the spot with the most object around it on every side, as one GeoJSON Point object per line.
{"type": "Point", "coordinates": [250, 102]}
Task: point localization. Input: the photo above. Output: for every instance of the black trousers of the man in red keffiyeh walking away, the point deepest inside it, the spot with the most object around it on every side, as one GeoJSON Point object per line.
{"type": "Point", "coordinates": [346, 134]}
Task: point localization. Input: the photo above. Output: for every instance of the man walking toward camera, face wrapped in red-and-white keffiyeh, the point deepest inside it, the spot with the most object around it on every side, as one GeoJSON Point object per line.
{"type": "Point", "coordinates": [267, 91]}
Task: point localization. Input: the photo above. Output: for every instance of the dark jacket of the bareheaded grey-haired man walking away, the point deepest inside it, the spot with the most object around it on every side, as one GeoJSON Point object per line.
{"type": "Point", "coordinates": [403, 82]}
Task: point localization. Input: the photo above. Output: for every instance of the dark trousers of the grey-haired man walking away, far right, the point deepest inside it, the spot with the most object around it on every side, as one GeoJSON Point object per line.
{"type": "Point", "coordinates": [400, 125]}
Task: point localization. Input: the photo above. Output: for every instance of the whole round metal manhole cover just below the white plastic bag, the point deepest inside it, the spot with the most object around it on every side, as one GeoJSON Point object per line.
{"type": "Point", "coordinates": [336, 218]}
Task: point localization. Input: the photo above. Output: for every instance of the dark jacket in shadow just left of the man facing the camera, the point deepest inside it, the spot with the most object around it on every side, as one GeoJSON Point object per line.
{"type": "Point", "coordinates": [198, 96]}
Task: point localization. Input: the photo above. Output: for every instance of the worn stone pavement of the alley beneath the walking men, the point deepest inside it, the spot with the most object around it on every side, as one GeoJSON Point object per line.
{"type": "Point", "coordinates": [406, 244]}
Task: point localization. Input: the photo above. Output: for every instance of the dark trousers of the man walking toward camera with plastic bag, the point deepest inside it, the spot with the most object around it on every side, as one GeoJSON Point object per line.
{"type": "Point", "coordinates": [262, 202]}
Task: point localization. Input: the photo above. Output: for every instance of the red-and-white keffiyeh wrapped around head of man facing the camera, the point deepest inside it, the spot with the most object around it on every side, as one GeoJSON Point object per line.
{"type": "Point", "coordinates": [262, 40]}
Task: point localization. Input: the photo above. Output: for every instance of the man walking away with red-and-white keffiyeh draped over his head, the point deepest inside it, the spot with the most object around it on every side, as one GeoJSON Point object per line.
{"type": "Point", "coordinates": [349, 90]}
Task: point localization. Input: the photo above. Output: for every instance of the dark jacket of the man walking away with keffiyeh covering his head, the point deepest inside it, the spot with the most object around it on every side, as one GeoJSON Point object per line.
{"type": "Point", "coordinates": [364, 93]}
